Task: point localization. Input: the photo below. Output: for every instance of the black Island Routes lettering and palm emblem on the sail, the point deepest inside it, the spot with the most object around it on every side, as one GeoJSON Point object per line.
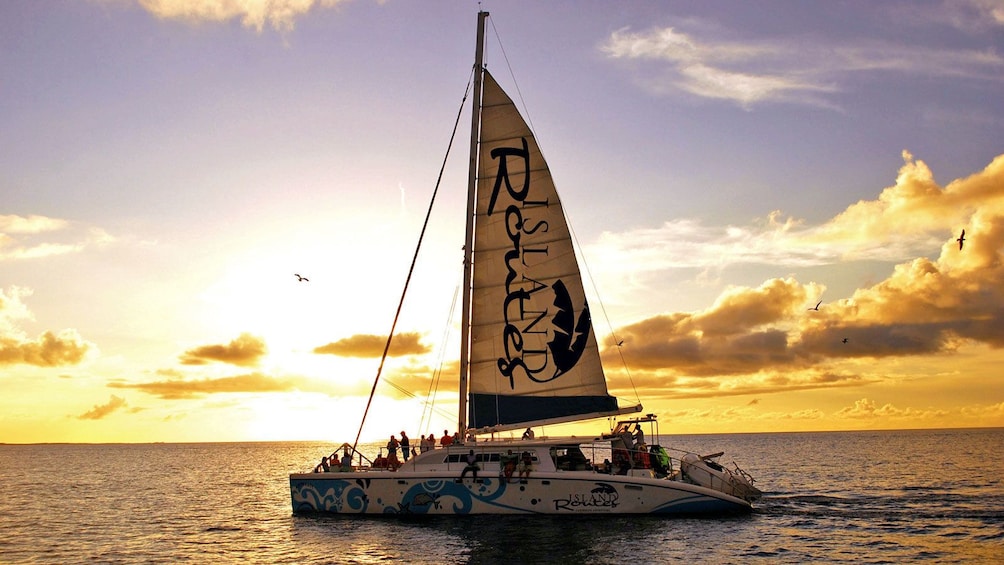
{"type": "Point", "coordinates": [525, 309]}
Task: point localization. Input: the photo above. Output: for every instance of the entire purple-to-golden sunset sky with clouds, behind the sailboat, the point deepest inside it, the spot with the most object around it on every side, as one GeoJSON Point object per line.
{"type": "Point", "coordinates": [167, 166]}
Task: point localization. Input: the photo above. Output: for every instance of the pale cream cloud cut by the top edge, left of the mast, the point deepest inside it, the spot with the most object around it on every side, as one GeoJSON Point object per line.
{"type": "Point", "coordinates": [257, 15]}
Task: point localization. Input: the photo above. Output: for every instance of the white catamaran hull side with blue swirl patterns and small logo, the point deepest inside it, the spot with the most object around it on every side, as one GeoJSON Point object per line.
{"type": "Point", "coordinates": [545, 493]}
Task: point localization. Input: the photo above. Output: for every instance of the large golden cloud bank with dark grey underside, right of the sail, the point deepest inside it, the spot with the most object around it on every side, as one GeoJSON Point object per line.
{"type": "Point", "coordinates": [764, 340]}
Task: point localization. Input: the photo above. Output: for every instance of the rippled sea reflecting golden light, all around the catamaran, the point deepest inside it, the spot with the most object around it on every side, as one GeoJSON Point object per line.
{"type": "Point", "coordinates": [865, 497]}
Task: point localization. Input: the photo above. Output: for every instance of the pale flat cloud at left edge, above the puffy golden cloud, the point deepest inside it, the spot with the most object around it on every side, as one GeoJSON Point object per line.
{"type": "Point", "coordinates": [37, 237]}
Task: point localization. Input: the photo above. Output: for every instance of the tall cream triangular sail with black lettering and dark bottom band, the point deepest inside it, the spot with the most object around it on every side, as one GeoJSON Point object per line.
{"type": "Point", "coordinates": [534, 353]}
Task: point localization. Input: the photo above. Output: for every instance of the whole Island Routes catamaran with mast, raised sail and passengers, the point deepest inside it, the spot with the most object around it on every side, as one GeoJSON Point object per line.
{"type": "Point", "coordinates": [530, 358]}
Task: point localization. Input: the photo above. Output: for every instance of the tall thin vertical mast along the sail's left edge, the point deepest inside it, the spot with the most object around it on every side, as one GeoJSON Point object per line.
{"type": "Point", "coordinates": [472, 183]}
